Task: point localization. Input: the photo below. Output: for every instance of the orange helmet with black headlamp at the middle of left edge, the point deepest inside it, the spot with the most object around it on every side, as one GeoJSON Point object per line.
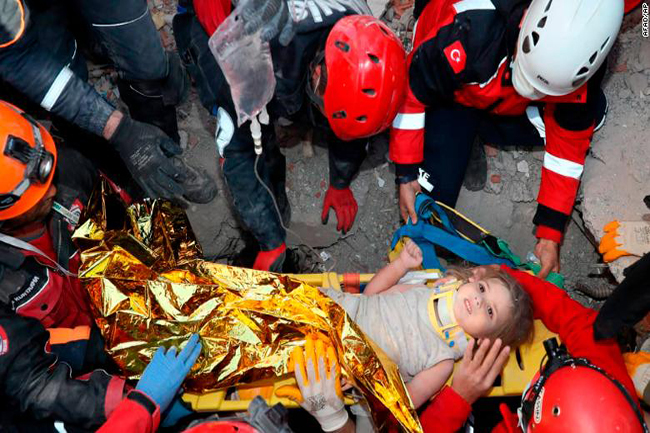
{"type": "Point", "coordinates": [27, 161]}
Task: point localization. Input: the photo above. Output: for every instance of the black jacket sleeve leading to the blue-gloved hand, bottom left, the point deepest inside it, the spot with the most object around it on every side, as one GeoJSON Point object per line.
{"type": "Point", "coordinates": [32, 379]}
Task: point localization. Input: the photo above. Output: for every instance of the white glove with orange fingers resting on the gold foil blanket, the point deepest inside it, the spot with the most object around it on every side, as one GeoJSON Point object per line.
{"type": "Point", "coordinates": [319, 391]}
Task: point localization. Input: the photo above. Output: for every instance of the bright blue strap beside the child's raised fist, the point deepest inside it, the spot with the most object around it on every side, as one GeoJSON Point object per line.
{"type": "Point", "coordinates": [426, 236]}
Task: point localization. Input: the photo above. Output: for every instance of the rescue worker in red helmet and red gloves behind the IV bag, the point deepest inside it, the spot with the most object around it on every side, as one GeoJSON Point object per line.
{"type": "Point", "coordinates": [335, 68]}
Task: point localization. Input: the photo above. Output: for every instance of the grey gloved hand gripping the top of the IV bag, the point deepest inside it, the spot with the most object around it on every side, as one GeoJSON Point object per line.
{"type": "Point", "coordinates": [272, 16]}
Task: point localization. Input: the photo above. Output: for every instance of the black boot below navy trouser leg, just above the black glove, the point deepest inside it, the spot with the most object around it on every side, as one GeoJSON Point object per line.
{"type": "Point", "coordinates": [155, 101]}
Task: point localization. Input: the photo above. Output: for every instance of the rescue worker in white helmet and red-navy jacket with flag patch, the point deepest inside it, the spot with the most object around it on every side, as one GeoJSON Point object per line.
{"type": "Point", "coordinates": [513, 72]}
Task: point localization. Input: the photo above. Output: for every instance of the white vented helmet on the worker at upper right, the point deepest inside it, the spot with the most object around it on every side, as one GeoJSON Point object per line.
{"type": "Point", "coordinates": [562, 43]}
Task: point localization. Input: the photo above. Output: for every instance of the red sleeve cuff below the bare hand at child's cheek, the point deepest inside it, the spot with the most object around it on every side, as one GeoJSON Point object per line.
{"type": "Point", "coordinates": [447, 412]}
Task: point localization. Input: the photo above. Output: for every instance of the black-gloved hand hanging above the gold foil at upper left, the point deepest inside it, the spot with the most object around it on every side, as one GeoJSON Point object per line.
{"type": "Point", "coordinates": [141, 146]}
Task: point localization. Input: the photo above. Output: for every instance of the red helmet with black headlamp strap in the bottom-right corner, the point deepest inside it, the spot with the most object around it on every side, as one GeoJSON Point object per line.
{"type": "Point", "coordinates": [571, 394]}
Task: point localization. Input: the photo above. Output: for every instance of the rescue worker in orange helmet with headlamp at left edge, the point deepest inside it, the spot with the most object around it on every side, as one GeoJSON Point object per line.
{"type": "Point", "coordinates": [38, 261]}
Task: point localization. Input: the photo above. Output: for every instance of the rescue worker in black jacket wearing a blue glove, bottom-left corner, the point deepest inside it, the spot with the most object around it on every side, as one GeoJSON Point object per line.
{"type": "Point", "coordinates": [38, 390]}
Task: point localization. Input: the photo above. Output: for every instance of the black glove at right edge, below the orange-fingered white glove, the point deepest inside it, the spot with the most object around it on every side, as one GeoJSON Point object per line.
{"type": "Point", "coordinates": [628, 304]}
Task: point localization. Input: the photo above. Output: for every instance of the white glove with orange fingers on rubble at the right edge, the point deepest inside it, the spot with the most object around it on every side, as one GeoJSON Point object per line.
{"type": "Point", "coordinates": [625, 238]}
